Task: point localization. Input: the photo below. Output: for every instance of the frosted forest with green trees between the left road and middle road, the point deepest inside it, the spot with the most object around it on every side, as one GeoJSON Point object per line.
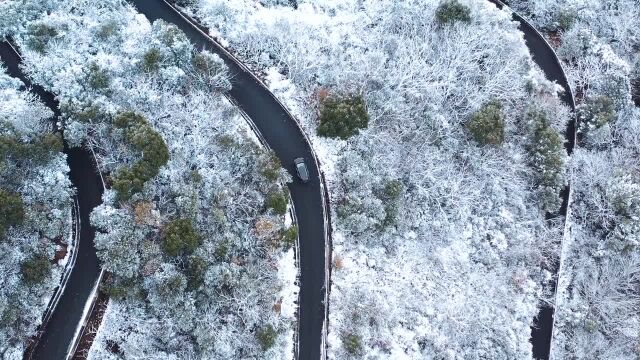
{"type": "Point", "coordinates": [192, 227]}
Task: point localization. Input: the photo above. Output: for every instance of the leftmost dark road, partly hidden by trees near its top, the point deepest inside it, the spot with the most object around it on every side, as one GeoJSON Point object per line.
{"type": "Point", "coordinates": [57, 334]}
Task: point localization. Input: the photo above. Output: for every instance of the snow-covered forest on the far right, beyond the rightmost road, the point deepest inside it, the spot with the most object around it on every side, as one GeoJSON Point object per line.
{"type": "Point", "coordinates": [598, 310]}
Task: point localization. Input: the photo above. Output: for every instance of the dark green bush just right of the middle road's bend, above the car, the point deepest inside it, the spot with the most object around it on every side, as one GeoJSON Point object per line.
{"type": "Point", "coordinates": [342, 118]}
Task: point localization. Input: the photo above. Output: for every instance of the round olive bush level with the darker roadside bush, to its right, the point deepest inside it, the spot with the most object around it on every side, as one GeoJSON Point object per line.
{"type": "Point", "coordinates": [487, 124]}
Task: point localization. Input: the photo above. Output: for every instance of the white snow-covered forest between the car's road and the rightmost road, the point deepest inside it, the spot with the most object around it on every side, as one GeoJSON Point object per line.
{"type": "Point", "coordinates": [442, 176]}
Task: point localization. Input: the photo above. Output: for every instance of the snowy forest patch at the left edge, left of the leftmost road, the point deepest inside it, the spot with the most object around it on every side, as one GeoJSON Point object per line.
{"type": "Point", "coordinates": [35, 214]}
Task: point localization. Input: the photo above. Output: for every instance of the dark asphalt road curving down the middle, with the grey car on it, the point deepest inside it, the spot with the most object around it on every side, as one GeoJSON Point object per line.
{"type": "Point", "coordinates": [283, 134]}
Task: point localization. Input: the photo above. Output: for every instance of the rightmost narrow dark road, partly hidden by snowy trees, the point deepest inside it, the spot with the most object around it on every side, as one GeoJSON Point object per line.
{"type": "Point", "coordinates": [545, 57]}
